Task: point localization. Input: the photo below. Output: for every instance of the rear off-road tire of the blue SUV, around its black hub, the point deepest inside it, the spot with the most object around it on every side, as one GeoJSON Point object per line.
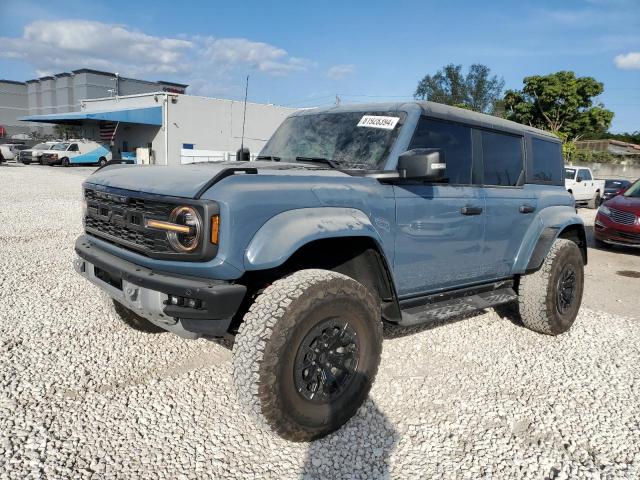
{"type": "Point", "coordinates": [538, 292]}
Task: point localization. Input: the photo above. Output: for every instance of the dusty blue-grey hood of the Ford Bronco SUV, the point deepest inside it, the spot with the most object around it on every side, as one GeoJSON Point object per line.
{"type": "Point", "coordinates": [187, 180]}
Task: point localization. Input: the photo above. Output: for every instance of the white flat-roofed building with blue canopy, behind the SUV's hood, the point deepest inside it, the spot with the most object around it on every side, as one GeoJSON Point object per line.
{"type": "Point", "coordinates": [170, 128]}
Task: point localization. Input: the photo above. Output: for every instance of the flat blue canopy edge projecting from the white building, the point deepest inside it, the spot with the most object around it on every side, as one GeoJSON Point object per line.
{"type": "Point", "coordinates": [145, 116]}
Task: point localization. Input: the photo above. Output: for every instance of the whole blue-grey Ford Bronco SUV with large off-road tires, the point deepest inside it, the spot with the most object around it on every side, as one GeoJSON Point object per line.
{"type": "Point", "coordinates": [351, 217]}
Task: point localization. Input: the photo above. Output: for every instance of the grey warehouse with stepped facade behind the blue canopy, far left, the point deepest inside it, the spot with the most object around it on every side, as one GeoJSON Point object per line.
{"type": "Point", "coordinates": [64, 92]}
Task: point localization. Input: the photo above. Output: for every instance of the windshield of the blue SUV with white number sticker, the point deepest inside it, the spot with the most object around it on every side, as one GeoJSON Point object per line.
{"type": "Point", "coordinates": [353, 140]}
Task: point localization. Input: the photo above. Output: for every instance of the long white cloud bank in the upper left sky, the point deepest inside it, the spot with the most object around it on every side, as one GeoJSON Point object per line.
{"type": "Point", "coordinates": [58, 45]}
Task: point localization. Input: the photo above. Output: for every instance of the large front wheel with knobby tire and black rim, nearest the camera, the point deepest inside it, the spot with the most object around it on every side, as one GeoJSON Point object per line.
{"type": "Point", "coordinates": [307, 353]}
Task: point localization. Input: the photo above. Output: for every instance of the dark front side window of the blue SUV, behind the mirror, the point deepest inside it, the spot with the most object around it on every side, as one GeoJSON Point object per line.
{"type": "Point", "coordinates": [454, 140]}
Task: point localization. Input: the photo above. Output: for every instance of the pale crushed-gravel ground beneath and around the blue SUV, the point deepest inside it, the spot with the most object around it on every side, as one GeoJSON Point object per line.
{"type": "Point", "coordinates": [82, 396]}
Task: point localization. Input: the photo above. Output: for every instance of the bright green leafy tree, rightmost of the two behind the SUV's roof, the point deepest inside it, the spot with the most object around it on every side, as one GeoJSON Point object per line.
{"type": "Point", "coordinates": [560, 103]}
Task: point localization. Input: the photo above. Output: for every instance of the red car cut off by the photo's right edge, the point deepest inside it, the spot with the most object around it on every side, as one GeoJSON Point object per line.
{"type": "Point", "coordinates": [618, 219]}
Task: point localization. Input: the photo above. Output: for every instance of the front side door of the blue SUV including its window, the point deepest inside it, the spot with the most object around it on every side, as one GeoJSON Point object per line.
{"type": "Point", "coordinates": [440, 227]}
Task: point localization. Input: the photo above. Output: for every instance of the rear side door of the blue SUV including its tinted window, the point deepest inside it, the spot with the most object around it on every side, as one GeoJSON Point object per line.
{"type": "Point", "coordinates": [510, 207]}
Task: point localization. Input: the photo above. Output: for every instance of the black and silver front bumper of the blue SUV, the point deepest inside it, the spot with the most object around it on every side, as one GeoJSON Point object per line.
{"type": "Point", "coordinates": [146, 292]}
